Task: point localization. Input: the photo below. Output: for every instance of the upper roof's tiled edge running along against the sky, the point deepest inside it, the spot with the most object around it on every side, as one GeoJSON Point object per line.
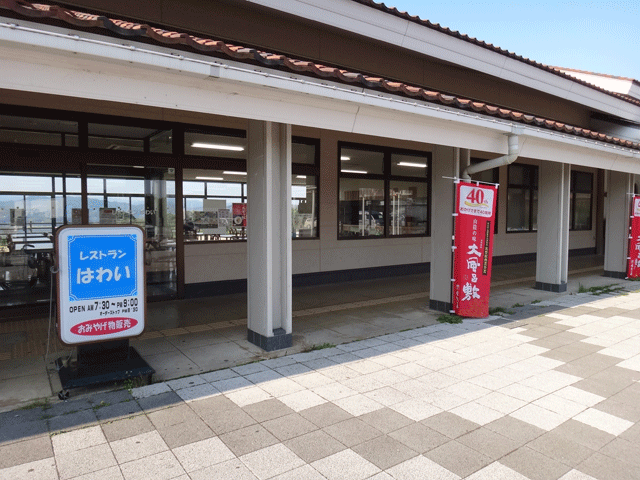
{"type": "Point", "coordinates": [461, 36]}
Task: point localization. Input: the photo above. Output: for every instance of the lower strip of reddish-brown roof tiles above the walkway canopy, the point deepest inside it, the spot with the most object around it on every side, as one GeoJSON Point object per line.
{"type": "Point", "coordinates": [219, 48]}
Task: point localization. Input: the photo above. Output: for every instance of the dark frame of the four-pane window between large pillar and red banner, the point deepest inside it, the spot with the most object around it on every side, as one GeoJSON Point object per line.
{"type": "Point", "coordinates": [386, 178]}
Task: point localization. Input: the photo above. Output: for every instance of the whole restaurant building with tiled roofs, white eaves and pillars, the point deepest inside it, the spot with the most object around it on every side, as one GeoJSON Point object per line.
{"type": "Point", "coordinates": [343, 123]}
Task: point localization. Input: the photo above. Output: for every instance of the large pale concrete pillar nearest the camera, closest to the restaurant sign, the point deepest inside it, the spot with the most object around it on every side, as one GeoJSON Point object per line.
{"type": "Point", "coordinates": [269, 235]}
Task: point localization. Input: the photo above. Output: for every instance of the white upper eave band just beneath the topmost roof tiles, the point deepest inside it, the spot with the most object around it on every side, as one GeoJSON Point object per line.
{"type": "Point", "coordinates": [378, 25]}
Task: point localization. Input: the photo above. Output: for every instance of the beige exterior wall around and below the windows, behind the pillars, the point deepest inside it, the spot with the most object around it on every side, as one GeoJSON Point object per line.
{"type": "Point", "coordinates": [210, 262]}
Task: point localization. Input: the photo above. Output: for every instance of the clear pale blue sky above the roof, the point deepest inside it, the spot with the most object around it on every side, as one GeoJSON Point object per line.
{"type": "Point", "coordinates": [596, 36]}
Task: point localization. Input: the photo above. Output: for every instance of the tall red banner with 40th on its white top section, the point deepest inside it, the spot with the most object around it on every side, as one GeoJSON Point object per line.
{"type": "Point", "coordinates": [476, 213]}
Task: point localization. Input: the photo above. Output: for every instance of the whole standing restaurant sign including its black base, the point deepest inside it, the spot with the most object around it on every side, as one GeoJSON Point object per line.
{"type": "Point", "coordinates": [101, 303]}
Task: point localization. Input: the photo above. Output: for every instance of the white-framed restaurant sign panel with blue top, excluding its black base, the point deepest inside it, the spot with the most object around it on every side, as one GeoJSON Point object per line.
{"type": "Point", "coordinates": [101, 282]}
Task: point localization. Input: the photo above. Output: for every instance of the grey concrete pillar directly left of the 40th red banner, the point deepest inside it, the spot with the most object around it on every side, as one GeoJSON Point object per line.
{"type": "Point", "coordinates": [445, 163]}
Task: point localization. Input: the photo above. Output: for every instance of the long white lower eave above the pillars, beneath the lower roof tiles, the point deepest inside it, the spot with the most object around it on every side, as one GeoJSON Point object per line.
{"type": "Point", "coordinates": [63, 63]}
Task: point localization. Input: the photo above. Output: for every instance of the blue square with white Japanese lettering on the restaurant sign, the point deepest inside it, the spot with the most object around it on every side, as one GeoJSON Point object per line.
{"type": "Point", "coordinates": [102, 266]}
